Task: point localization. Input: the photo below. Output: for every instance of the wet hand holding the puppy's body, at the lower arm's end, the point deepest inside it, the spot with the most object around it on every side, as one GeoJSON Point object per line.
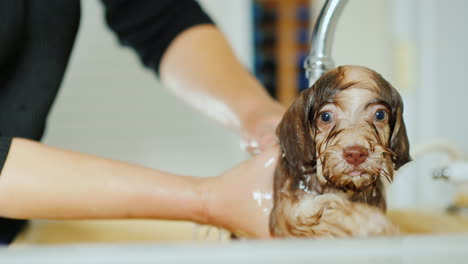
{"type": "Point", "coordinates": [240, 200]}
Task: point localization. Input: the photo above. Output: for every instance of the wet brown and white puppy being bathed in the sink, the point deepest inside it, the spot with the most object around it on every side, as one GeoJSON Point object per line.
{"type": "Point", "coordinates": [339, 140]}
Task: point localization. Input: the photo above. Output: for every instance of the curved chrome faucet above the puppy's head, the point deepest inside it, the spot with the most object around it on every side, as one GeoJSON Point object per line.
{"type": "Point", "coordinates": [319, 60]}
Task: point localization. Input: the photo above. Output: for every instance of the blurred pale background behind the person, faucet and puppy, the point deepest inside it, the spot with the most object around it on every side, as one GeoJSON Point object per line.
{"type": "Point", "coordinates": [110, 106]}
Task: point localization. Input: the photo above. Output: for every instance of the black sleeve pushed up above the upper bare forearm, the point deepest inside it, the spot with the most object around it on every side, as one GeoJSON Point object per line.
{"type": "Point", "coordinates": [149, 26]}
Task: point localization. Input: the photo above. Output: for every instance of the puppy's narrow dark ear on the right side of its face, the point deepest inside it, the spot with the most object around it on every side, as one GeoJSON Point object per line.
{"type": "Point", "coordinates": [399, 143]}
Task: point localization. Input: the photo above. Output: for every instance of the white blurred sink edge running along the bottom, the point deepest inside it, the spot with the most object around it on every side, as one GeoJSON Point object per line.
{"type": "Point", "coordinates": [405, 249]}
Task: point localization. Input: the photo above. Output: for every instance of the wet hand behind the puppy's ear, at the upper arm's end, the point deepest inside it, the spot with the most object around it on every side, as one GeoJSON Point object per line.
{"type": "Point", "coordinates": [259, 131]}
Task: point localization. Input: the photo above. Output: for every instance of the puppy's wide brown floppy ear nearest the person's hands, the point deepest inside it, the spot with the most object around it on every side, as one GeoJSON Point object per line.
{"type": "Point", "coordinates": [295, 133]}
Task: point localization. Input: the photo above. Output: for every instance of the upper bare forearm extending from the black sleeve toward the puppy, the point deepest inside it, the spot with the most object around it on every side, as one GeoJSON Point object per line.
{"type": "Point", "coordinates": [201, 68]}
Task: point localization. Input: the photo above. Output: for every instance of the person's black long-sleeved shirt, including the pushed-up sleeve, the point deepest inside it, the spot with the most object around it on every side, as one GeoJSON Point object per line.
{"type": "Point", "coordinates": [36, 40]}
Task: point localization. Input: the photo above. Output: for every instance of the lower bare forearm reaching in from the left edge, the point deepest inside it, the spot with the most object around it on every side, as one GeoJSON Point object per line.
{"type": "Point", "coordinates": [44, 182]}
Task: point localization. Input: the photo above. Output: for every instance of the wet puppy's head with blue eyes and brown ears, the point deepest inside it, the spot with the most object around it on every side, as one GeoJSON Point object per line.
{"type": "Point", "coordinates": [347, 129]}
